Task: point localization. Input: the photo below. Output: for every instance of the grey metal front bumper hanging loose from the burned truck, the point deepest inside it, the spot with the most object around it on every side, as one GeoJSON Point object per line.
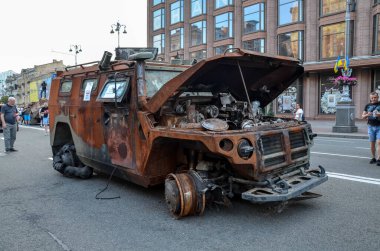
{"type": "Point", "coordinates": [286, 189]}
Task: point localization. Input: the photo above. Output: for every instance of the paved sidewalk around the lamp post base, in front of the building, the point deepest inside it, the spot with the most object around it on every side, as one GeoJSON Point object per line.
{"type": "Point", "coordinates": [324, 129]}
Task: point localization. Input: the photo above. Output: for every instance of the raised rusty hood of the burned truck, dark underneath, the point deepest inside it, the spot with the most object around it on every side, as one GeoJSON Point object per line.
{"type": "Point", "coordinates": [265, 77]}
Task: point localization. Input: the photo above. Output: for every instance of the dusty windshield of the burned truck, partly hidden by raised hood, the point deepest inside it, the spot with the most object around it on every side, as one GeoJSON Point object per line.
{"type": "Point", "coordinates": [155, 79]}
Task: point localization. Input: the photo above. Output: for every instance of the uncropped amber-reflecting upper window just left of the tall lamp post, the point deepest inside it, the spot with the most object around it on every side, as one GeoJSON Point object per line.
{"type": "Point", "coordinates": [332, 40]}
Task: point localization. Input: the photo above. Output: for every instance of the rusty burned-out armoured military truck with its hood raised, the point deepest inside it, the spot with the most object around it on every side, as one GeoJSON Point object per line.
{"type": "Point", "coordinates": [198, 129]}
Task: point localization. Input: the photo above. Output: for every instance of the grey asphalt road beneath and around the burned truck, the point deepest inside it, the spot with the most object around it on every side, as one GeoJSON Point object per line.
{"type": "Point", "coordinates": [42, 210]}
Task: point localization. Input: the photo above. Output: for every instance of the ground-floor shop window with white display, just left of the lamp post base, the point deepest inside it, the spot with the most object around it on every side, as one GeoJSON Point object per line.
{"type": "Point", "coordinates": [330, 94]}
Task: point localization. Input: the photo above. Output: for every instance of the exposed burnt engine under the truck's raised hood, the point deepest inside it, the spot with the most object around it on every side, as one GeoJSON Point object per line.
{"type": "Point", "coordinates": [220, 112]}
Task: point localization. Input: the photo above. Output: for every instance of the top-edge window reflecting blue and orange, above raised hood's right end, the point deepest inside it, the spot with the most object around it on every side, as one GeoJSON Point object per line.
{"type": "Point", "coordinates": [290, 11]}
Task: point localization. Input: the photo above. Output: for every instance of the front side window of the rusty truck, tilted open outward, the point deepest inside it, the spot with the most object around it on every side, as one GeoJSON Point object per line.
{"type": "Point", "coordinates": [114, 89]}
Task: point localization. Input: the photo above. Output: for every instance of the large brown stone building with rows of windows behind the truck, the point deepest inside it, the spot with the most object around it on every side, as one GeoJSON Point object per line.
{"type": "Point", "coordinates": [311, 30]}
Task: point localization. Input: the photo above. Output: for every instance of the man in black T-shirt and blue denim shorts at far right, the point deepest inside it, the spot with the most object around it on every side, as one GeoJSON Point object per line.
{"type": "Point", "coordinates": [372, 114]}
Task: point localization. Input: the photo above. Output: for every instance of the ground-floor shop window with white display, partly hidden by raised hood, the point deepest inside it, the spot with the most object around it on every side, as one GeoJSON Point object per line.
{"type": "Point", "coordinates": [287, 100]}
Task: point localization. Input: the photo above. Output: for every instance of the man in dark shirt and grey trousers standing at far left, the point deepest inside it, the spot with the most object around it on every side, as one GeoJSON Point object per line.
{"type": "Point", "coordinates": [9, 119]}
